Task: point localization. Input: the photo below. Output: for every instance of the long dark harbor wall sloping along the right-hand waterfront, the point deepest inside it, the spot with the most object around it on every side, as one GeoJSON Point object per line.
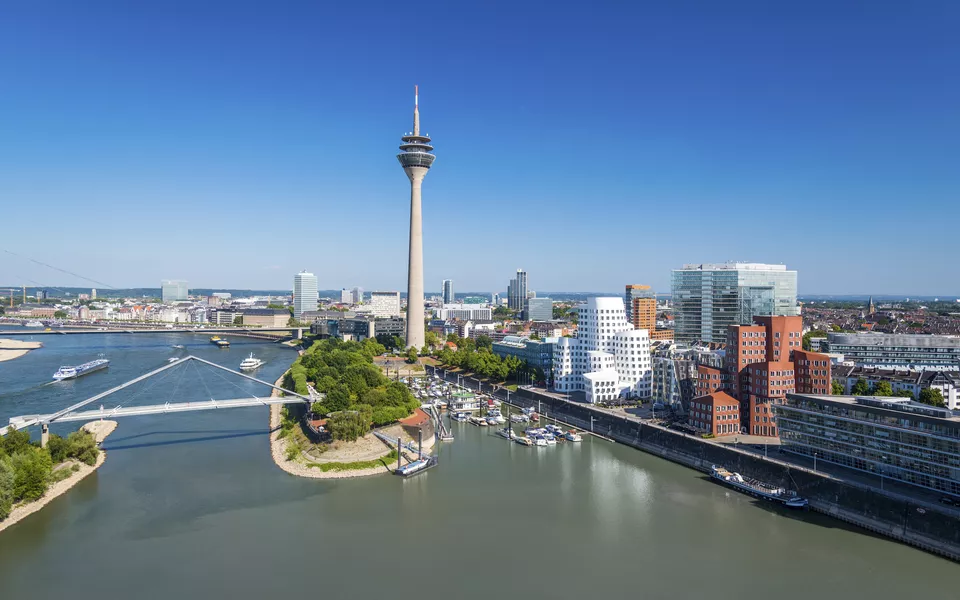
{"type": "Point", "coordinates": [897, 518]}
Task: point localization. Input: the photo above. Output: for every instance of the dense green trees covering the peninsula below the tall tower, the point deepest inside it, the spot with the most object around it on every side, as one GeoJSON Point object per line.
{"type": "Point", "coordinates": [353, 387]}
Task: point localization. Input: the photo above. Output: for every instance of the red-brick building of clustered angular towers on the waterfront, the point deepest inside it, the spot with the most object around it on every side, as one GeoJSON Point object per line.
{"type": "Point", "coordinates": [765, 362]}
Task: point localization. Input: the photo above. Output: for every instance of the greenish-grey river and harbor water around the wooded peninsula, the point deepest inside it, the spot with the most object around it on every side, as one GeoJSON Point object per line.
{"type": "Point", "coordinates": [191, 505]}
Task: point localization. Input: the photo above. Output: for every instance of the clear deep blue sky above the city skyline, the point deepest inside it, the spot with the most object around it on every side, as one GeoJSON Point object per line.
{"type": "Point", "coordinates": [594, 144]}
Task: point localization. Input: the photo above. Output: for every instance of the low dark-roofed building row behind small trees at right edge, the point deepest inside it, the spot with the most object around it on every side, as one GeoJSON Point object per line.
{"type": "Point", "coordinates": [902, 381]}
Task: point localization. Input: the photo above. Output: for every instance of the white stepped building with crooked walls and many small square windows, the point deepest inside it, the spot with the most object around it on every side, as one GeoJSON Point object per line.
{"type": "Point", "coordinates": [608, 359]}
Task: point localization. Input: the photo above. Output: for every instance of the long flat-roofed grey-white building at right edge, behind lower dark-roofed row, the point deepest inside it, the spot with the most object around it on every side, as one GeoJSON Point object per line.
{"type": "Point", "coordinates": [895, 350]}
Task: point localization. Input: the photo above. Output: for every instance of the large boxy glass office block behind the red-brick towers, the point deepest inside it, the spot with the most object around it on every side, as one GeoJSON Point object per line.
{"type": "Point", "coordinates": [708, 298]}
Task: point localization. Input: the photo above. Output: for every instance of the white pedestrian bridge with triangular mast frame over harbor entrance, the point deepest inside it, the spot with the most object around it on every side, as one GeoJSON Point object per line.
{"type": "Point", "coordinates": [73, 412]}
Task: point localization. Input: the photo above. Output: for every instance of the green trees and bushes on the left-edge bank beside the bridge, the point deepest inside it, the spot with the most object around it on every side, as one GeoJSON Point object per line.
{"type": "Point", "coordinates": [26, 470]}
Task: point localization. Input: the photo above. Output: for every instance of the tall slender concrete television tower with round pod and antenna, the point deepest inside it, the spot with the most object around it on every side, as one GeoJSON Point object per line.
{"type": "Point", "coordinates": [416, 158]}
